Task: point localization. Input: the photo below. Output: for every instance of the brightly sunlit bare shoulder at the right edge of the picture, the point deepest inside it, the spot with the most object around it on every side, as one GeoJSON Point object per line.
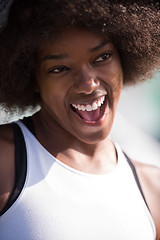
{"type": "Point", "coordinates": [149, 177]}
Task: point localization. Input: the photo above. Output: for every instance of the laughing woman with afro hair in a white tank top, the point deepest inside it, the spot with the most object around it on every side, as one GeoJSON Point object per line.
{"type": "Point", "coordinates": [61, 177]}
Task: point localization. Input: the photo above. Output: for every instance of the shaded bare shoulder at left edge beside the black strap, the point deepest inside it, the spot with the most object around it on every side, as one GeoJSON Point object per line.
{"type": "Point", "coordinates": [7, 166]}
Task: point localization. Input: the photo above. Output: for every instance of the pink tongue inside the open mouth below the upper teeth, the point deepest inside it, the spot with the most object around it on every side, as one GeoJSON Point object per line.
{"type": "Point", "coordinates": [89, 116]}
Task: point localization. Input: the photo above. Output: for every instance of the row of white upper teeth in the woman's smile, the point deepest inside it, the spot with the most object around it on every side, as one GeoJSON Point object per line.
{"type": "Point", "coordinates": [90, 107]}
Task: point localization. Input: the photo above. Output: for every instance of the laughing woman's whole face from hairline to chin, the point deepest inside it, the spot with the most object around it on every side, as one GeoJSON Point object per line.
{"type": "Point", "coordinates": [79, 78]}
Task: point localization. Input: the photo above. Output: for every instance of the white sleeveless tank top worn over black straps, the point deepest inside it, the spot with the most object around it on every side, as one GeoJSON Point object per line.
{"type": "Point", "coordinates": [60, 203]}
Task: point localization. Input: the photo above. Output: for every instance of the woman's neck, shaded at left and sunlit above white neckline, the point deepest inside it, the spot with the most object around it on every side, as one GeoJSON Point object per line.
{"type": "Point", "coordinates": [96, 158]}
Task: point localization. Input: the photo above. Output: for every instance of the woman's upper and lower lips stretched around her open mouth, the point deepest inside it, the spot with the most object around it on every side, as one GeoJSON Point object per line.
{"type": "Point", "coordinates": [103, 114]}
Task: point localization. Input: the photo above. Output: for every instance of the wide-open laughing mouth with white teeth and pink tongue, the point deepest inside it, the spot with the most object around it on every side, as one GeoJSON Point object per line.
{"type": "Point", "coordinates": [90, 112]}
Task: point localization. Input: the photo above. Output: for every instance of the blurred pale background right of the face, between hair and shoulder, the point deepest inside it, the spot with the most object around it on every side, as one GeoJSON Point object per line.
{"type": "Point", "coordinates": [137, 123]}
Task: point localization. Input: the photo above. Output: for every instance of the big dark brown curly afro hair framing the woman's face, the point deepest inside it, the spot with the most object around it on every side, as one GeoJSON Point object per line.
{"type": "Point", "coordinates": [132, 26]}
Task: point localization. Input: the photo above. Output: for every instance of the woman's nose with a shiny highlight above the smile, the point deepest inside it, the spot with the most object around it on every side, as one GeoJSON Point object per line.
{"type": "Point", "coordinates": [86, 81]}
